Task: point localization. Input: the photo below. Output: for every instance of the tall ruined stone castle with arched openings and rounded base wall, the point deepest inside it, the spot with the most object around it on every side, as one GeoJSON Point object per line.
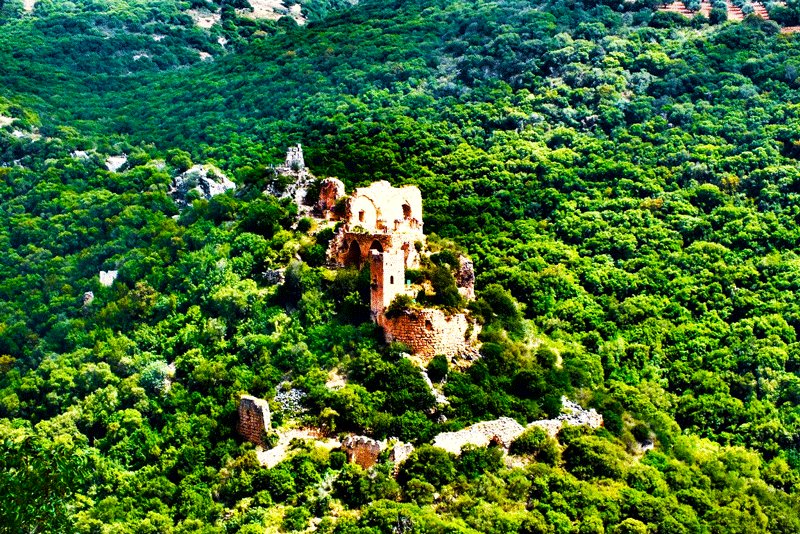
{"type": "Point", "coordinates": [383, 228]}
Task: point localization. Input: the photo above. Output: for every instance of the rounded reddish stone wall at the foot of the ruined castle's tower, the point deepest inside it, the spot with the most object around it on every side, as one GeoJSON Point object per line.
{"type": "Point", "coordinates": [429, 332]}
